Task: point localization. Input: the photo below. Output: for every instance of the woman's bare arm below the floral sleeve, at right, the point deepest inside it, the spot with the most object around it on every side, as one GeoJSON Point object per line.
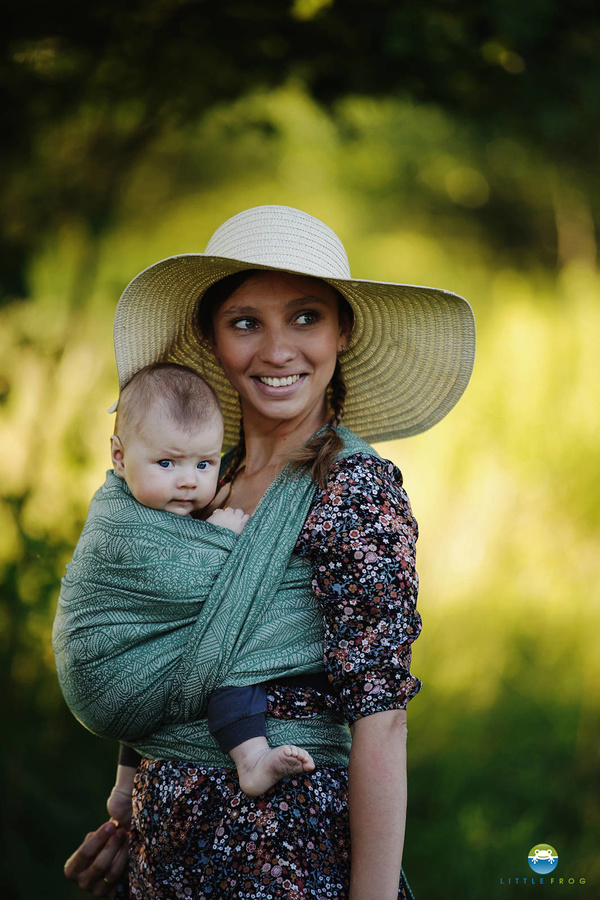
{"type": "Point", "coordinates": [377, 802]}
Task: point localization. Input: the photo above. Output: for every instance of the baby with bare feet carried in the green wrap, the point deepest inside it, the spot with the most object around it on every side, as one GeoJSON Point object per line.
{"type": "Point", "coordinates": [167, 448]}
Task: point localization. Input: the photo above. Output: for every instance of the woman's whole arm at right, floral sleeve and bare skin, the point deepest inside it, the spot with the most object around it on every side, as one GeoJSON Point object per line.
{"type": "Point", "coordinates": [361, 536]}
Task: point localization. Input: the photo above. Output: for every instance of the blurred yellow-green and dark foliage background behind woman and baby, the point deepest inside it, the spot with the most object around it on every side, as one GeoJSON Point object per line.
{"type": "Point", "coordinates": [449, 144]}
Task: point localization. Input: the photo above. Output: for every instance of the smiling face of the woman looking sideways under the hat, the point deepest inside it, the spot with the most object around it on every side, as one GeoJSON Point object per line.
{"type": "Point", "coordinates": [277, 337]}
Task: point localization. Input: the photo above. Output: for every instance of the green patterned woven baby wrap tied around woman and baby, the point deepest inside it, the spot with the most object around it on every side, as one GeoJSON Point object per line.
{"type": "Point", "coordinates": [157, 610]}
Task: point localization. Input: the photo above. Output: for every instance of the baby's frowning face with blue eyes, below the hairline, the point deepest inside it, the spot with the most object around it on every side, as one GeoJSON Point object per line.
{"type": "Point", "coordinates": [166, 467]}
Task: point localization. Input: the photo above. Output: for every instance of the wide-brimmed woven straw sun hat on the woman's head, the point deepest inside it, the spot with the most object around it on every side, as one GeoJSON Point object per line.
{"type": "Point", "coordinates": [407, 363]}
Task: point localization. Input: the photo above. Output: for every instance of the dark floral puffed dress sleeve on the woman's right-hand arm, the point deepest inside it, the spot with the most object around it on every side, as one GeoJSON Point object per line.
{"type": "Point", "coordinates": [360, 536]}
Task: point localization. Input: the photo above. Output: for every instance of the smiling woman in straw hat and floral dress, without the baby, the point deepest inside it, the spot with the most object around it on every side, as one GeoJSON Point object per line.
{"type": "Point", "coordinates": [270, 316]}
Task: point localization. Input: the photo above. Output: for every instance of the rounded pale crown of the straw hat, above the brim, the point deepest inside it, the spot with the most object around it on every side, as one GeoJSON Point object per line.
{"type": "Point", "coordinates": [284, 238]}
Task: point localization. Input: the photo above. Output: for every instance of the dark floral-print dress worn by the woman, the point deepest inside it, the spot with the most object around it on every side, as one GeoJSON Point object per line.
{"type": "Point", "coordinates": [194, 833]}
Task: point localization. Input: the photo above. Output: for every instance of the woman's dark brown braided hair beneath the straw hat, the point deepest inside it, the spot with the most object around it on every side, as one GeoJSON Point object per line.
{"type": "Point", "coordinates": [320, 451]}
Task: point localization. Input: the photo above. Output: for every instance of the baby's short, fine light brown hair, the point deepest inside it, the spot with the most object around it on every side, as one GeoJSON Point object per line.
{"type": "Point", "coordinates": [182, 394]}
